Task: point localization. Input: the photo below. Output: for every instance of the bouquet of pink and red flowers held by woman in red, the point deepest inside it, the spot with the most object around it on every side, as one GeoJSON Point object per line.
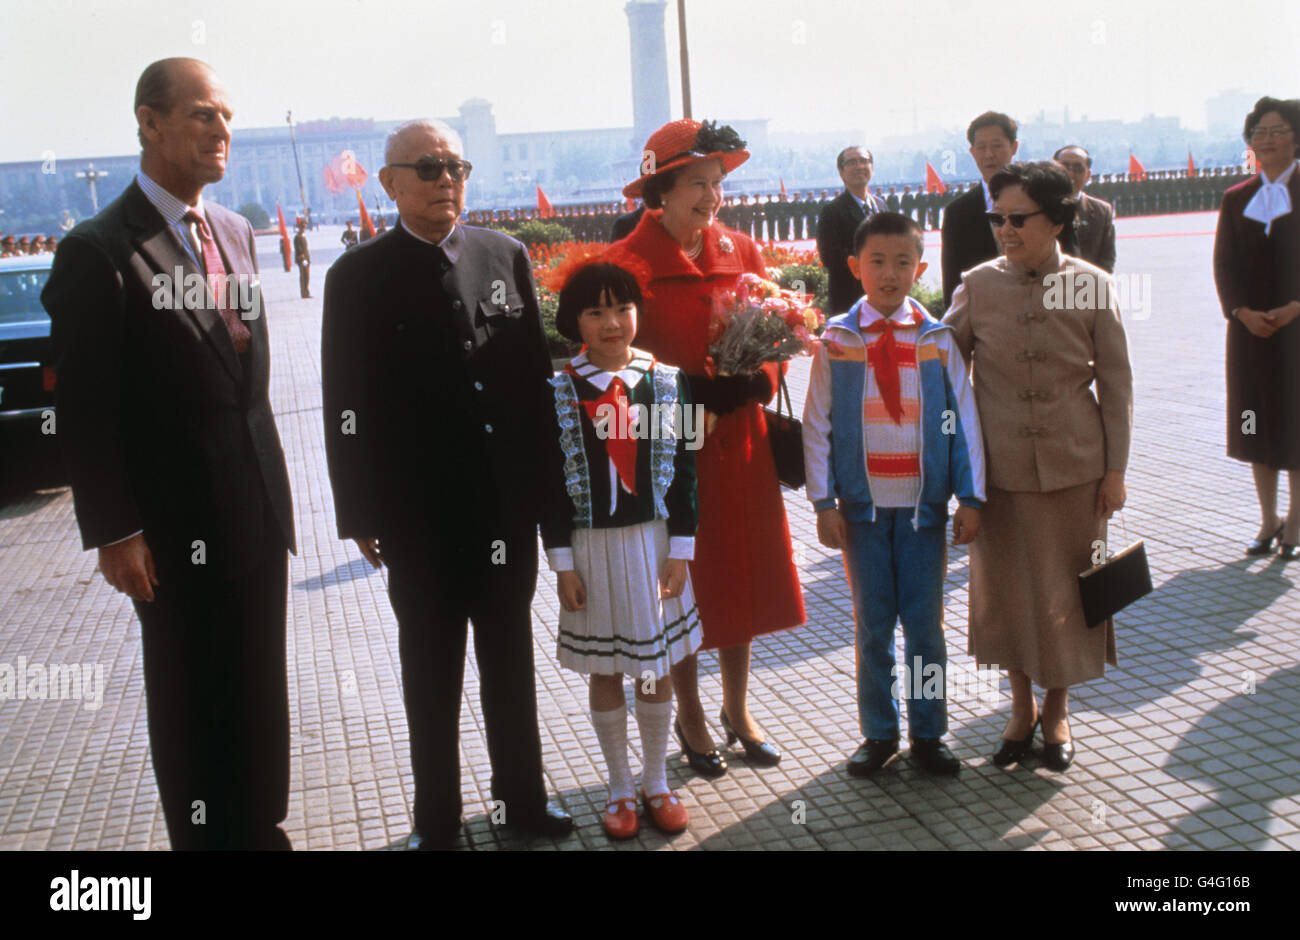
{"type": "Point", "coordinates": [760, 323]}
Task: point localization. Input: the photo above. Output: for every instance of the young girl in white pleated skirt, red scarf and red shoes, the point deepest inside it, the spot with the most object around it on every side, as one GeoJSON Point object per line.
{"type": "Point", "coordinates": [619, 532]}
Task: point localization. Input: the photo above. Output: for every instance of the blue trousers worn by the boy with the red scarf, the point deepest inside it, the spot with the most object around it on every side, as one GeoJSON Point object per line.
{"type": "Point", "coordinates": [898, 574]}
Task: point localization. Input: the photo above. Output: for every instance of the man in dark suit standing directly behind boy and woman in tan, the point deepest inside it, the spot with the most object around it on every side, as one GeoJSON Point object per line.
{"type": "Point", "coordinates": [968, 239]}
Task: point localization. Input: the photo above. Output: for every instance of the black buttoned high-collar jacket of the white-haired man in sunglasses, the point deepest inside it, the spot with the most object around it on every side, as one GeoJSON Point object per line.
{"type": "Point", "coordinates": [435, 374]}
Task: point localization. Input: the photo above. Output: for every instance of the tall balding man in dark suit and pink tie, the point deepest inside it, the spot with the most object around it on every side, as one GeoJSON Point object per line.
{"type": "Point", "coordinates": [177, 471]}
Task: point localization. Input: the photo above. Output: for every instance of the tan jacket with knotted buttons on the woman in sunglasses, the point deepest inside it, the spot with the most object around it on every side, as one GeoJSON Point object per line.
{"type": "Point", "coordinates": [1037, 343]}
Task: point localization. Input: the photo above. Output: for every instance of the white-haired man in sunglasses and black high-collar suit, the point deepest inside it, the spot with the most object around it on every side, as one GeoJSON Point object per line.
{"type": "Point", "coordinates": [435, 371]}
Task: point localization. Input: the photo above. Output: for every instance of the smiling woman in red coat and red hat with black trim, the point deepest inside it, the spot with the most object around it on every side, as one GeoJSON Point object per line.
{"type": "Point", "coordinates": [744, 570]}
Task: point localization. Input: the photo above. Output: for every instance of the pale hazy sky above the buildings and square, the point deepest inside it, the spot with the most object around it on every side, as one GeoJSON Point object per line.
{"type": "Point", "coordinates": [71, 66]}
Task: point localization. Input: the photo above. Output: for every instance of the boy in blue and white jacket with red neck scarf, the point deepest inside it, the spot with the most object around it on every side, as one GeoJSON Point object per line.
{"type": "Point", "coordinates": [890, 435]}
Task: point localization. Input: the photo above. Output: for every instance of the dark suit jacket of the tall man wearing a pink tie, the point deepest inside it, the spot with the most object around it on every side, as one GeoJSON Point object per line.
{"type": "Point", "coordinates": [164, 427]}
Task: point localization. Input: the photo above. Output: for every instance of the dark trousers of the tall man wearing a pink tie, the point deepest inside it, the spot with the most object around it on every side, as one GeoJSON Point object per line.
{"type": "Point", "coordinates": [219, 704]}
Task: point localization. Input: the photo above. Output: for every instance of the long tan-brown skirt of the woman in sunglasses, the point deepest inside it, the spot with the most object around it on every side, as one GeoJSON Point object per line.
{"type": "Point", "coordinates": [1025, 609]}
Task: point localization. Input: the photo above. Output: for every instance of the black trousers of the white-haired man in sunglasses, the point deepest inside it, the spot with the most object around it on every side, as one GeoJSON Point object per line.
{"type": "Point", "coordinates": [435, 590]}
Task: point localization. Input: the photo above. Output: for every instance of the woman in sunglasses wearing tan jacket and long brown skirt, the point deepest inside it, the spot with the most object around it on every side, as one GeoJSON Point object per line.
{"type": "Point", "coordinates": [1039, 328]}
